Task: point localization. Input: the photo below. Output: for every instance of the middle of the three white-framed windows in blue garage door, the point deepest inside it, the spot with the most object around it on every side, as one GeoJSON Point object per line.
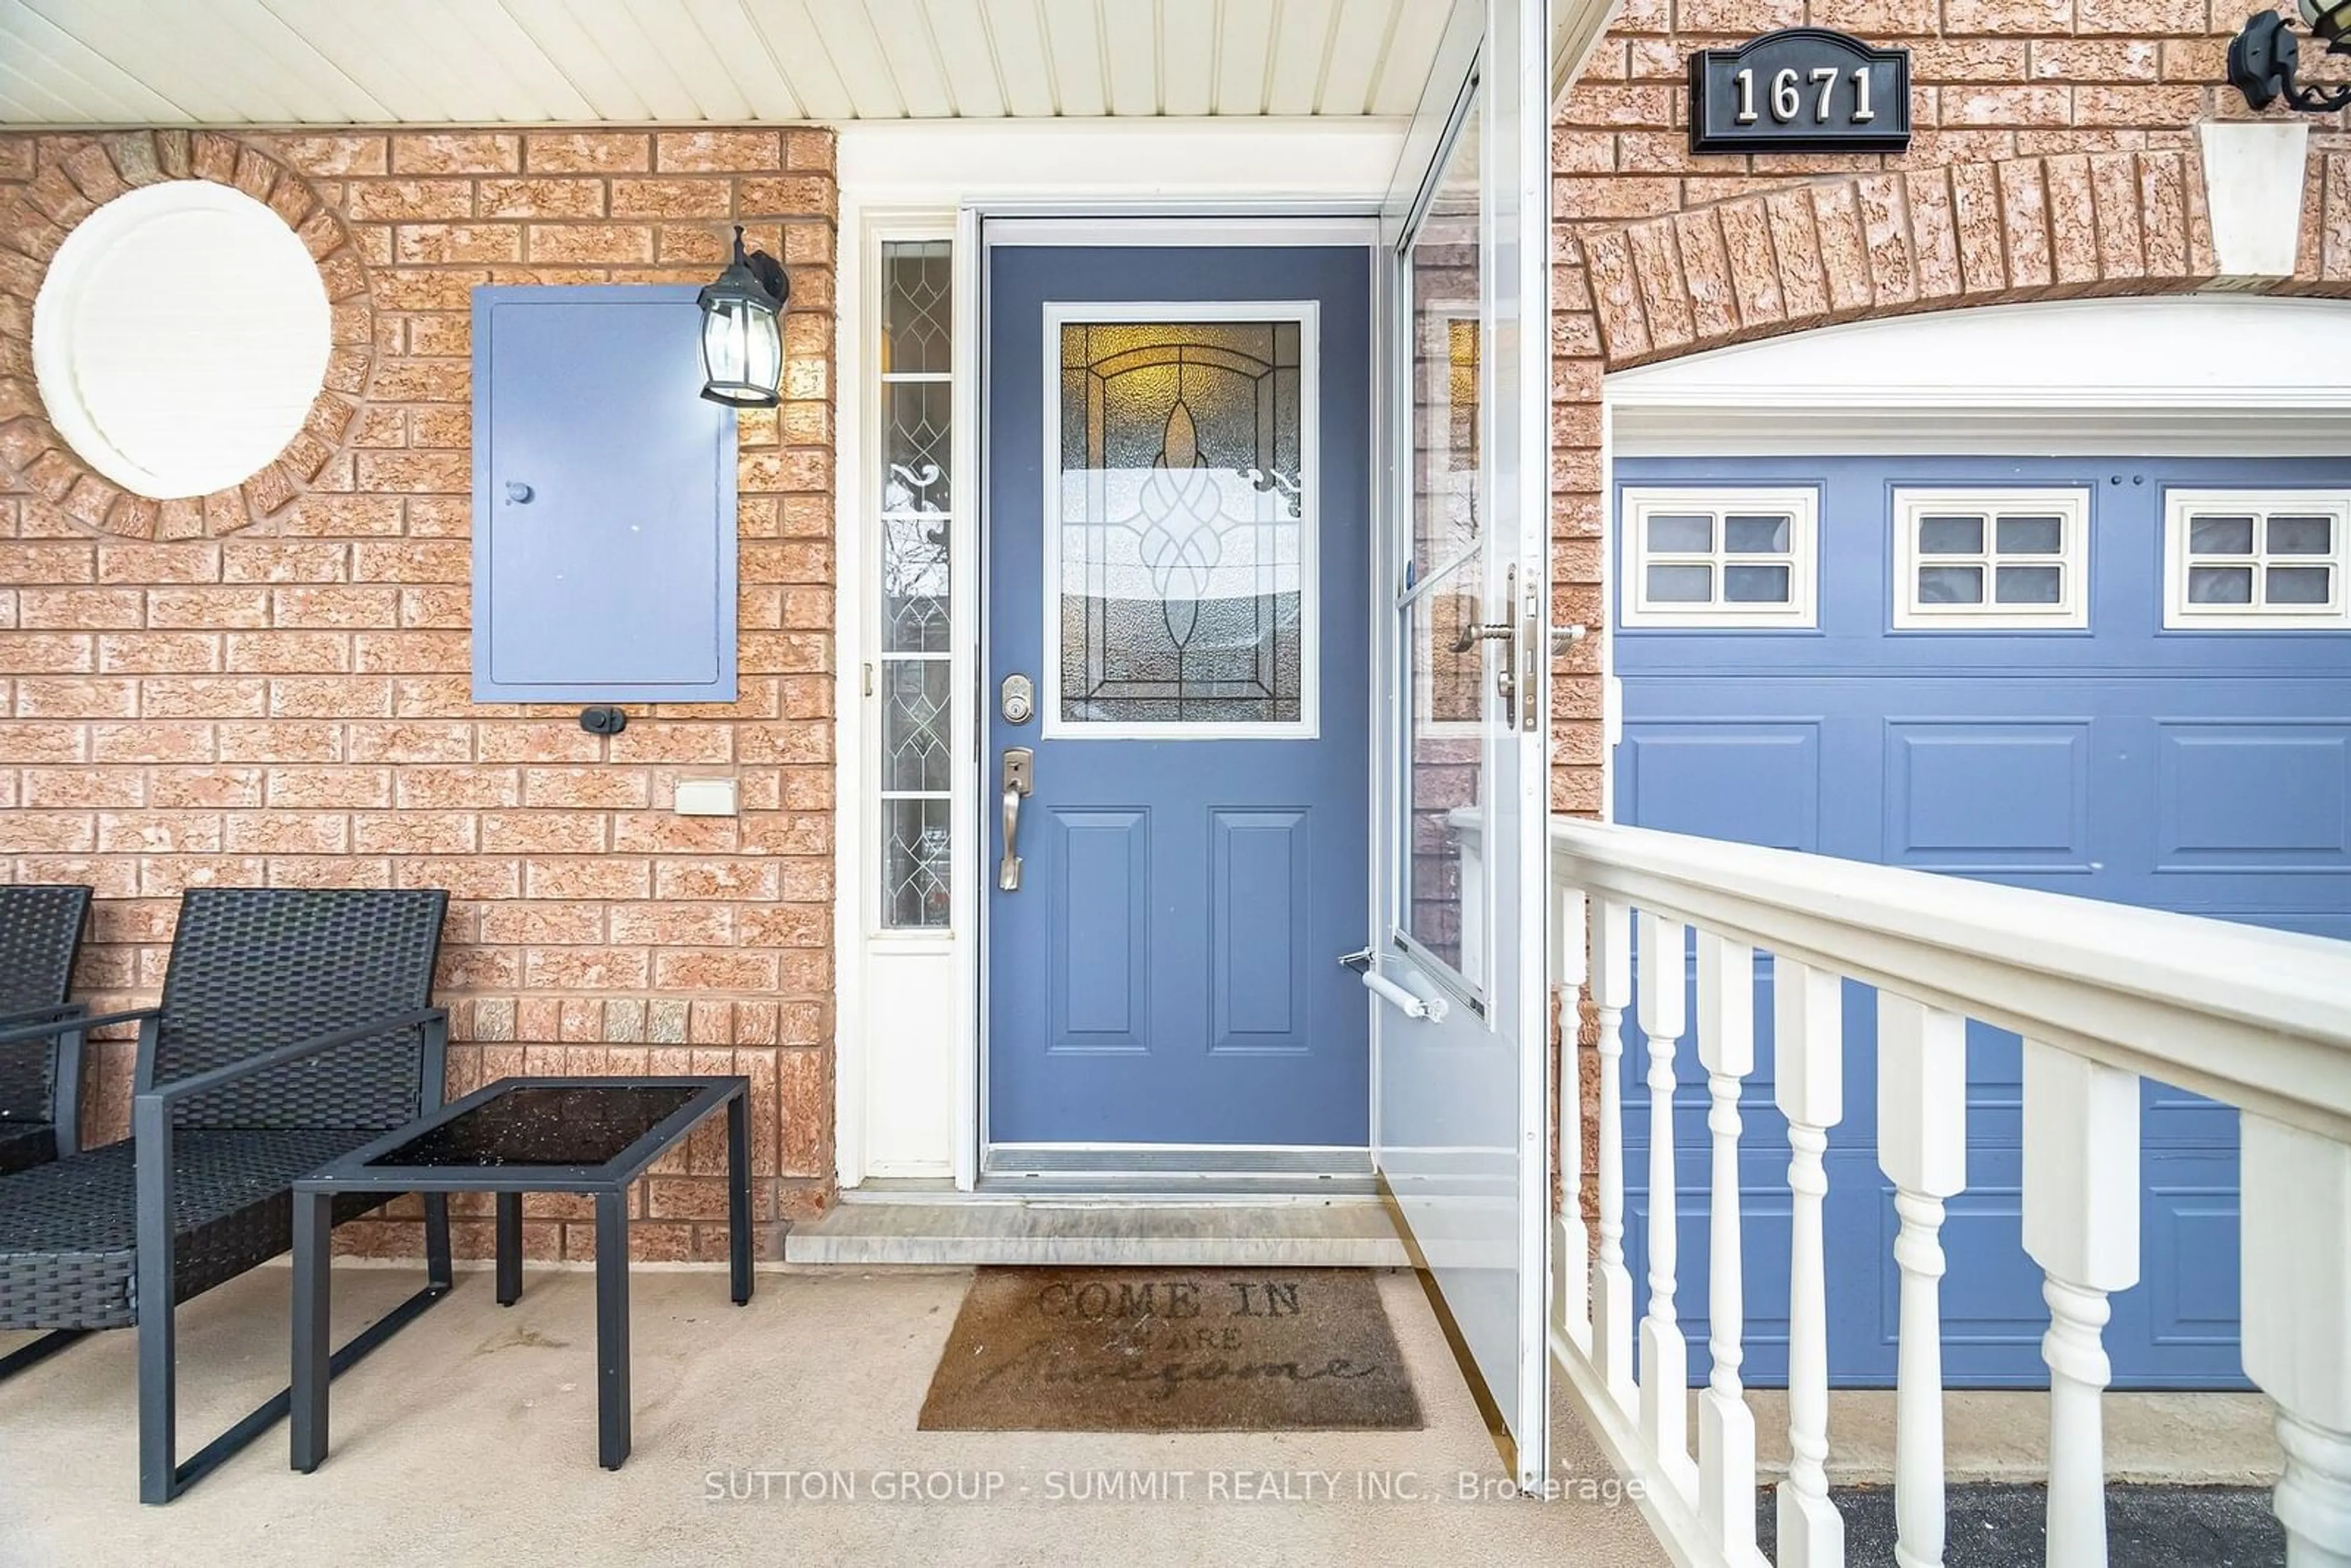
{"type": "Point", "coordinates": [1990, 561]}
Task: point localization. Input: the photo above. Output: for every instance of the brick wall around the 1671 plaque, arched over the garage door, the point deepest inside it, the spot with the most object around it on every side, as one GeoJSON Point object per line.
{"type": "Point", "coordinates": [2054, 156]}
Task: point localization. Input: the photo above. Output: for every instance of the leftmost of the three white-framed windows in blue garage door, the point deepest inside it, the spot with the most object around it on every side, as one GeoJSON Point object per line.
{"type": "Point", "coordinates": [1720, 558]}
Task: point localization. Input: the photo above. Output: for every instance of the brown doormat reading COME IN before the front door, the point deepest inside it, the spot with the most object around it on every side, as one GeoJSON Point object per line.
{"type": "Point", "coordinates": [1172, 1351]}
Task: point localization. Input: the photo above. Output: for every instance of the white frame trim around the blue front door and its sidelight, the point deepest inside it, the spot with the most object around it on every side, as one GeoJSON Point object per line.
{"type": "Point", "coordinates": [937, 180]}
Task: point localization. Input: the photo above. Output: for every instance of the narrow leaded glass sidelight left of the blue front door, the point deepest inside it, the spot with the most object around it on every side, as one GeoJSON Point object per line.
{"type": "Point", "coordinates": [916, 540]}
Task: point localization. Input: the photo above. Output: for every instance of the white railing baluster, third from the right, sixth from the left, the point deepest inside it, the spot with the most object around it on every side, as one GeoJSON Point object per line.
{"type": "Point", "coordinates": [1924, 1151]}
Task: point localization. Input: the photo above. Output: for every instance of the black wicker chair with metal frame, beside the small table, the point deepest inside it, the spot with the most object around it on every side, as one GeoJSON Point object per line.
{"type": "Point", "coordinates": [295, 1026]}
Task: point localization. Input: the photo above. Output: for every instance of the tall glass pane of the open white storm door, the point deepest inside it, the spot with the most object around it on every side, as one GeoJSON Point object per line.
{"type": "Point", "coordinates": [1445, 582]}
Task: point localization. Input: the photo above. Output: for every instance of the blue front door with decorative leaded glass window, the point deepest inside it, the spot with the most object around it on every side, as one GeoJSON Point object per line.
{"type": "Point", "coordinates": [1179, 528]}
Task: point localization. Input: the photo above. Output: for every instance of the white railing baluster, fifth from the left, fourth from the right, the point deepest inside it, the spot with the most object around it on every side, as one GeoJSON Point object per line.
{"type": "Point", "coordinates": [1809, 1085]}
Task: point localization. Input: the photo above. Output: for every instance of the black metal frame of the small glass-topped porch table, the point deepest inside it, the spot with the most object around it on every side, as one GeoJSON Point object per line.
{"type": "Point", "coordinates": [608, 1184]}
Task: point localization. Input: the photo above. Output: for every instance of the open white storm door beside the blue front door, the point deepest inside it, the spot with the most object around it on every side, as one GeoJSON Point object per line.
{"type": "Point", "coordinates": [1461, 1125]}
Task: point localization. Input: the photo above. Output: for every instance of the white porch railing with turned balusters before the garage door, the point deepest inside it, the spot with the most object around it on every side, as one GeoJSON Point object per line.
{"type": "Point", "coordinates": [2103, 996]}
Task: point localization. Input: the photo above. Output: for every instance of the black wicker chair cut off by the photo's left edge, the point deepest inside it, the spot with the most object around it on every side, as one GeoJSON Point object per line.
{"type": "Point", "coordinates": [41, 1080]}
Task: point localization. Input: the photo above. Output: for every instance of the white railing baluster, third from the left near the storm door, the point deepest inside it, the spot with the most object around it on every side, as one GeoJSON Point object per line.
{"type": "Point", "coordinates": [1666, 1353]}
